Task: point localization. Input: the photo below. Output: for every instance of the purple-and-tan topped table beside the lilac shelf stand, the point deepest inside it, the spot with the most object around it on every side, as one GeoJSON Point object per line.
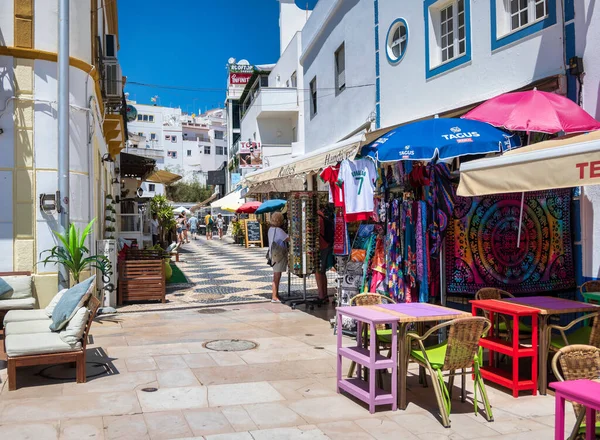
{"type": "Point", "coordinates": [403, 314]}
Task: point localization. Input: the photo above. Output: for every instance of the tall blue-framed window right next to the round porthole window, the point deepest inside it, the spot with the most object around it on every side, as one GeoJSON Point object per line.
{"type": "Point", "coordinates": [452, 27]}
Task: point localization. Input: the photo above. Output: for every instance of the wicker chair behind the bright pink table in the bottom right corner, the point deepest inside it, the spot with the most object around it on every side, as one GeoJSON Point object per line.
{"type": "Point", "coordinates": [578, 362]}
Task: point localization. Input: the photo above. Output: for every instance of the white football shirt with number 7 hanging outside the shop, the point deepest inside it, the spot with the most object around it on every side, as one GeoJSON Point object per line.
{"type": "Point", "coordinates": [358, 177]}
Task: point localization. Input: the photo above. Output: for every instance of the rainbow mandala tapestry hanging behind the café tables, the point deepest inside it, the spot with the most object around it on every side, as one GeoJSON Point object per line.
{"type": "Point", "coordinates": [482, 251]}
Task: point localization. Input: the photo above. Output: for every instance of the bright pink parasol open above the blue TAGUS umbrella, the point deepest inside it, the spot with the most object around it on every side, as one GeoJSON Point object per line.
{"type": "Point", "coordinates": [534, 111]}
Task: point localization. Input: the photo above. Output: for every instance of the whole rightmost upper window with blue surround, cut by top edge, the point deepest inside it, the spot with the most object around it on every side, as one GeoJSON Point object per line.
{"type": "Point", "coordinates": [513, 20]}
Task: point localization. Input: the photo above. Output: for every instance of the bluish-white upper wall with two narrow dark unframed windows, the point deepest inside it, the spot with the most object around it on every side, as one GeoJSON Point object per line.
{"type": "Point", "coordinates": [332, 23]}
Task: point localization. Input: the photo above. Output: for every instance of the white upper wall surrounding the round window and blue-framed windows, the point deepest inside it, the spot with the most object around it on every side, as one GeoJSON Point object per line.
{"type": "Point", "coordinates": [406, 93]}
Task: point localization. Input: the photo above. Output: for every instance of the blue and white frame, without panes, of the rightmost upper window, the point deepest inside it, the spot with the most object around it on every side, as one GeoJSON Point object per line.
{"type": "Point", "coordinates": [501, 24]}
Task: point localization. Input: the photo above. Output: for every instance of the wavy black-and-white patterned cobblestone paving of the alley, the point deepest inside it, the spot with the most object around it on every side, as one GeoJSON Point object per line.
{"type": "Point", "coordinates": [221, 272]}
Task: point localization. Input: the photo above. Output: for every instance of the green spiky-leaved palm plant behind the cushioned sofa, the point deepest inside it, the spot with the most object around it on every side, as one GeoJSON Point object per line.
{"type": "Point", "coordinates": [71, 253]}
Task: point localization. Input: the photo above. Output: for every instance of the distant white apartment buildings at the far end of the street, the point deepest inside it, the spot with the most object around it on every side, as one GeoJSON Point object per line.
{"type": "Point", "coordinates": [187, 145]}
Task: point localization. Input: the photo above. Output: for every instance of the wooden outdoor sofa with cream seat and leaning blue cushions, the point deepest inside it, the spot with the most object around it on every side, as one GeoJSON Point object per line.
{"type": "Point", "coordinates": [54, 335]}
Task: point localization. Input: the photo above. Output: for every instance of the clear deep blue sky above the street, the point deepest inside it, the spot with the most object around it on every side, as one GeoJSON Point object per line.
{"type": "Point", "coordinates": [188, 46]}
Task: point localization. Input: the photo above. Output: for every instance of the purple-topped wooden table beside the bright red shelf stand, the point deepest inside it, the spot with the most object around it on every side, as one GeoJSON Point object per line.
{"type": "Point", "coordinates": [548, 306]}
